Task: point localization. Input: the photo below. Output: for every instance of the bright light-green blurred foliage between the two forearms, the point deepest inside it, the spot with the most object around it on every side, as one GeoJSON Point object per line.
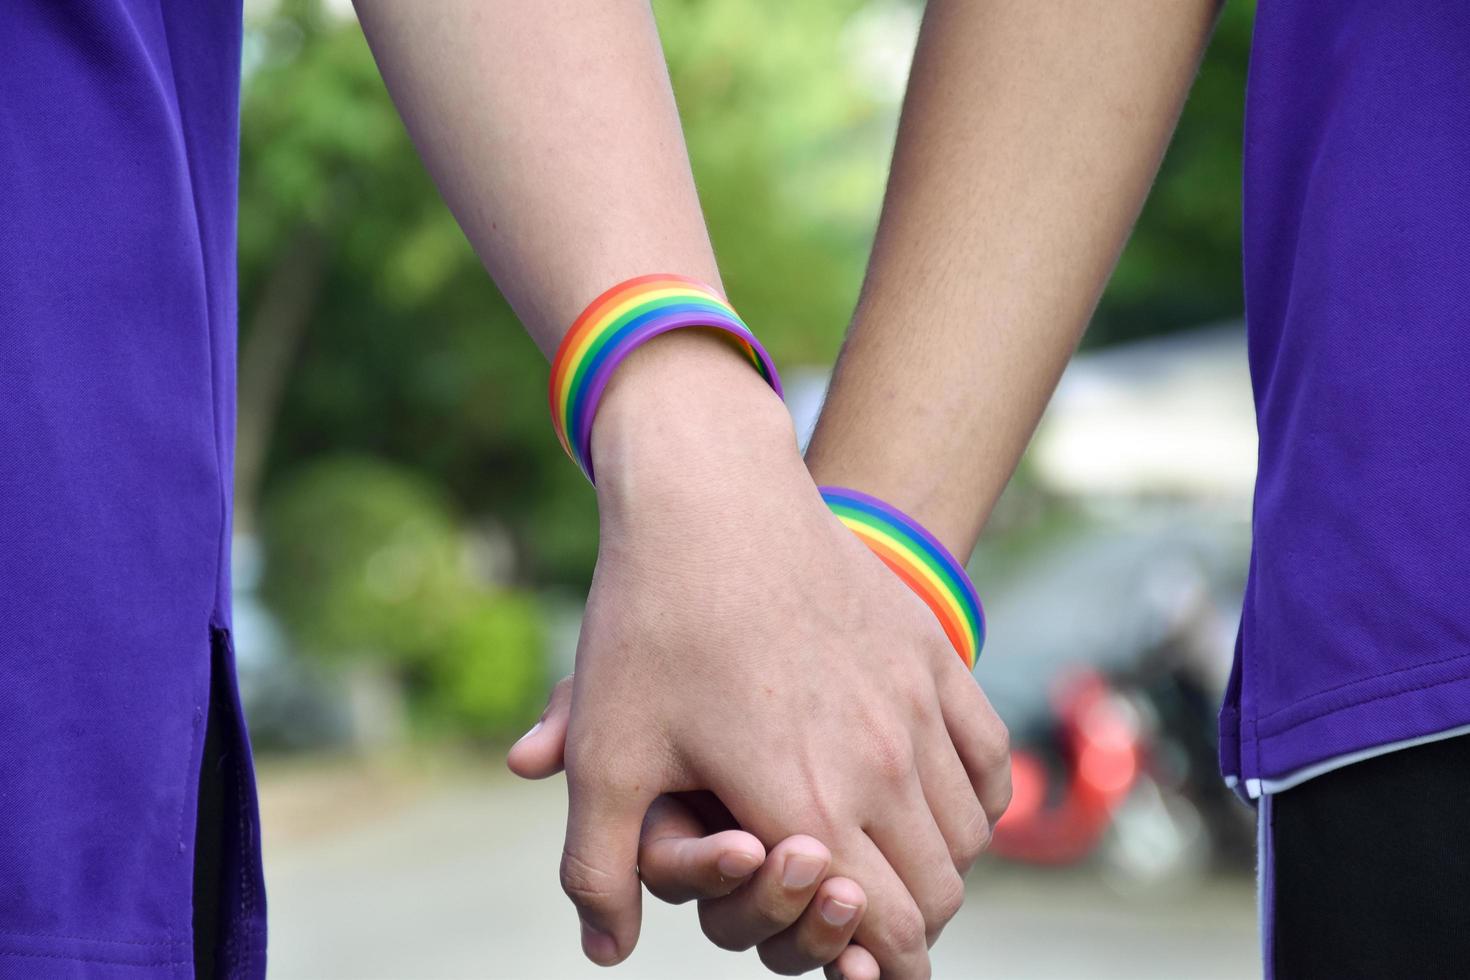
{"type": "Point", "coordinates": [790, 155]}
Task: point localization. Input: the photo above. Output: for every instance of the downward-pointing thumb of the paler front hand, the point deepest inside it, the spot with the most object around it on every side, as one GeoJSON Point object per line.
{"type": "Point", "coordinates": [599, 863]}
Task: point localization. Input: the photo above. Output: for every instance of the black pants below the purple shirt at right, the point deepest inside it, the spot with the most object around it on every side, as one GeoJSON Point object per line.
{"type": "Point", "coordinates": [1372, 869]}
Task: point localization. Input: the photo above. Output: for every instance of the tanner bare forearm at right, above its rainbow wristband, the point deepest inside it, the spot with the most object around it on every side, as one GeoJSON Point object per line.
{"type": "Point", "coordinates": [1028, 143]}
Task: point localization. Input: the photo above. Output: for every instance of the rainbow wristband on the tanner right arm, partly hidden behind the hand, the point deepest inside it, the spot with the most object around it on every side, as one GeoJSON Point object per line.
{"type": "Point", "coordinates": [924, 565]}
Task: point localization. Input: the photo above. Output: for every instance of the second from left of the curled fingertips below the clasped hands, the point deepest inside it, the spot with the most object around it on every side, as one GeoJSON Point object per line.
{"type": "Point", "coordinates": [772, 900]}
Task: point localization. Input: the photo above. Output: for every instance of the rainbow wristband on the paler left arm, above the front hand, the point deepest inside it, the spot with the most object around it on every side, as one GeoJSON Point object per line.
{"type": "Point", "coordinates": [612, 327]}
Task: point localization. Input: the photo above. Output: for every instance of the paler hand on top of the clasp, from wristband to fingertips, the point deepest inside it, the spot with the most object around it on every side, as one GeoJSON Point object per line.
{"type": "Point", "coordinates": [740, 640]}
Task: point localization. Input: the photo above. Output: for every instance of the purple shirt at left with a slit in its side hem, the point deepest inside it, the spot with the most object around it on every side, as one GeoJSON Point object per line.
{"type": "Point", "coordinates": [118, 158]}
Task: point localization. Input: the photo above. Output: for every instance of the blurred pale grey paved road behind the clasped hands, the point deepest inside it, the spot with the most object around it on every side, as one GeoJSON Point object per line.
{"type": "Point", "coordinates": [376, 876]}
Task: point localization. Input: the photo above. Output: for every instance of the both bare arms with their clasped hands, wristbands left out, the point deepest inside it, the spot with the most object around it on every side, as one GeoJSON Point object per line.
{"type": "Point", "coordinates": [755, 691]}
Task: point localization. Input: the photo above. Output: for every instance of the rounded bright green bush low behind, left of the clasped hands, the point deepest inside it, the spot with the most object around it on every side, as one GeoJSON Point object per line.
{"type": "Point", "coordinates": [365, 561]}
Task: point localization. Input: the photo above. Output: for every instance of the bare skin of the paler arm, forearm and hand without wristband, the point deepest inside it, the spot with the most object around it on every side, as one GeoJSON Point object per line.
{"type": "Point", "coordinates": [552, 133]}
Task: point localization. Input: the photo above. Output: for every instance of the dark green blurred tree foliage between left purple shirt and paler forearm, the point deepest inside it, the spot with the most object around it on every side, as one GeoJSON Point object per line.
{"type": "Point", "coordinates": [411, 355]}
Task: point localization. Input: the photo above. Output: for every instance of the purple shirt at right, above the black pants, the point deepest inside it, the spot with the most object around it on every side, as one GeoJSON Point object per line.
{"type": "Point", "coordinates": [1358, 290]}
